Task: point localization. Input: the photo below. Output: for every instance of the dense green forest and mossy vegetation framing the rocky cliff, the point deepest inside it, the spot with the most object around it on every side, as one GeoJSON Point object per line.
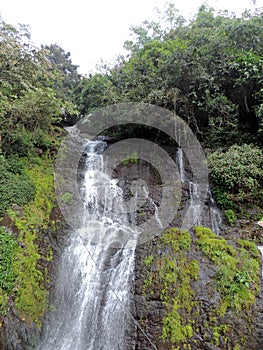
{"type": "Point", "coordinates": [209, 71]}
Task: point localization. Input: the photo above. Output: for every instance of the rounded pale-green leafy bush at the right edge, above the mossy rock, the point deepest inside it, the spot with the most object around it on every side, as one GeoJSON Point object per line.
{"type": "Point", "coordinates": [239, 168]}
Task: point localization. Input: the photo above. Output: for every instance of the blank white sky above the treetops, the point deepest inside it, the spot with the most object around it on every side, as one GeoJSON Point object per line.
{"type": "Point", "coordinates": [95, 30]}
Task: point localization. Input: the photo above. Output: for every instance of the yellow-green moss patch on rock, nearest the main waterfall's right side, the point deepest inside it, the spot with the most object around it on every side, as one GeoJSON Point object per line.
{"type": "Point", "coordinates": [172, 273]}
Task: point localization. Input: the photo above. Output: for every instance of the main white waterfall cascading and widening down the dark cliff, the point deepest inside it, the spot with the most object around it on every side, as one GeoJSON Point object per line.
{"type": "Point", "coordinates": [92, 298]}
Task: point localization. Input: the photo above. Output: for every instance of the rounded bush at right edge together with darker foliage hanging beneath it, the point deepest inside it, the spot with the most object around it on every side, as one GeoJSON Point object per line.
{"type": "Point", "coordinates": [237, 175]}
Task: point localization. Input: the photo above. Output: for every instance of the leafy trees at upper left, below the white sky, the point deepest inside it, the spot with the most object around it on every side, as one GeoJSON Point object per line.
{"type": "Point", "coordinates": [29, 98]}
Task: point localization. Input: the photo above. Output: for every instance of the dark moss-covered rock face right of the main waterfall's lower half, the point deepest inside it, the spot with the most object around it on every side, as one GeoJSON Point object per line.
{"type": "Point", "coordinates": [198, 291]}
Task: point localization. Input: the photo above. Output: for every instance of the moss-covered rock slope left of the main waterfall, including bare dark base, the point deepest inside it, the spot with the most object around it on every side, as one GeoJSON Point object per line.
{"type": "Point", "coordinates": [26, 256]}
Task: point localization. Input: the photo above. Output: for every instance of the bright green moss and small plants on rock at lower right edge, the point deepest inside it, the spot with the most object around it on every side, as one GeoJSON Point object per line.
{"type": "Point", "coordinates": [237, 277]}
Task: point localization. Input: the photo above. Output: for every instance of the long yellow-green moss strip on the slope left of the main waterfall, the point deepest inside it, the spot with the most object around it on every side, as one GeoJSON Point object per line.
{"type": "Point", "coordinates": [30, 295]}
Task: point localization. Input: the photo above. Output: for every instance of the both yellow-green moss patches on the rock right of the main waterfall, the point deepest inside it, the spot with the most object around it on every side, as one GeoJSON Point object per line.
{"type": "Point", "coordinates": [171, 274]}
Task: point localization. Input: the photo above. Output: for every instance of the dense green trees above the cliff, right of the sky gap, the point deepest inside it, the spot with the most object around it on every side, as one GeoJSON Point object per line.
{"type": "Point", "coordinates": [208, 71]}
